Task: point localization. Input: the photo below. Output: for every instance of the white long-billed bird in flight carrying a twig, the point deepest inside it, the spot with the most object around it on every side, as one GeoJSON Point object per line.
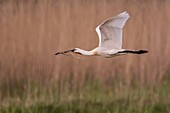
{"type": "Point", "coordinates": [110, 39]}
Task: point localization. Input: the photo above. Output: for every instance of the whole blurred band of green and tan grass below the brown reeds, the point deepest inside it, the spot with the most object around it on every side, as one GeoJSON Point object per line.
{"type": "Point", "coordinates": [92, 97]}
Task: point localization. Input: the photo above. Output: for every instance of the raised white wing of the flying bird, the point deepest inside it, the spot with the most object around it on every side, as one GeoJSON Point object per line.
{"type": "Point", "coordinates": [110, 31]}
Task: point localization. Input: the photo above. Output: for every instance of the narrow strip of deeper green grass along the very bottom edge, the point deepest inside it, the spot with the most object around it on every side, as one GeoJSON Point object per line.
{"type": "Point", "coordinates": [121, 106]}
